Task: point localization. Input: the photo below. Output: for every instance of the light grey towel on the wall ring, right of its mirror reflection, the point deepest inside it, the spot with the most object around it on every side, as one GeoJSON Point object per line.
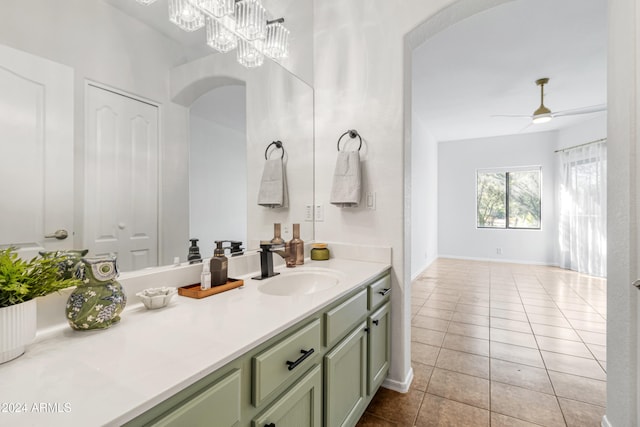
{"type": "Point", "coordinates": [347, 180]}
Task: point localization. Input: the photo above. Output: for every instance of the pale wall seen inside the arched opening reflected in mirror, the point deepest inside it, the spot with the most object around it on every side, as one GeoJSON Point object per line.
{"type": "Point", "coordinates": [218, 167]}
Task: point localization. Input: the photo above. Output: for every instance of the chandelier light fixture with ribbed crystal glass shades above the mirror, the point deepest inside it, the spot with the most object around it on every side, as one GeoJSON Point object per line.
{"type": "Point", "coordinates": [233, 24]}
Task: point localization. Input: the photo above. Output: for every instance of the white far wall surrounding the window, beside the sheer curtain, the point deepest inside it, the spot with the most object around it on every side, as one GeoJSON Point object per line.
{"type": "Point", "coordinates": [458, 235]}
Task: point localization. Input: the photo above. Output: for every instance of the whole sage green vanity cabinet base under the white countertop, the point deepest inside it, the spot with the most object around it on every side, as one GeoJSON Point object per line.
{"type": "Point", "coordinates": [321, 371]}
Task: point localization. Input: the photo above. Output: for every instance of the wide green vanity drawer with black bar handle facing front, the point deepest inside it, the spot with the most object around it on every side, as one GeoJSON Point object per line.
{"type": "Point", "coordinates": [285, 360]}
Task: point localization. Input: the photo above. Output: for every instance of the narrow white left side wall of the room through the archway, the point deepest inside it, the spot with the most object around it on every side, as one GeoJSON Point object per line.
{"type": "Point", "coordinates": [424, 197]}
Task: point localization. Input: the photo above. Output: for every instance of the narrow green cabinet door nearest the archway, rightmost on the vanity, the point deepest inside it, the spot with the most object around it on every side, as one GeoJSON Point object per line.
{"type": "Point", "coordinates": [379, 347]}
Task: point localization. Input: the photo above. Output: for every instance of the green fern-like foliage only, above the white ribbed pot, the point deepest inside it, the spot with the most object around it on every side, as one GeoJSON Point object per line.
{"type": "Point", "coordinates": [22, 281]}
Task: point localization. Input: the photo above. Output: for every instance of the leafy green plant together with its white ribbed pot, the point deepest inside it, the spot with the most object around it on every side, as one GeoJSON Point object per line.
{"type": "Point", "coordinates": [20, 283]}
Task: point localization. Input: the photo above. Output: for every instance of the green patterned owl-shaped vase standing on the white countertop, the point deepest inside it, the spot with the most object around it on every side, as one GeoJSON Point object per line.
{"type": "Point", "coordinates": [99, 300]}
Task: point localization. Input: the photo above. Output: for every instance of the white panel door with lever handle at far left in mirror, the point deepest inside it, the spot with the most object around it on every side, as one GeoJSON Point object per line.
{"type": "Point", "coordinates": [36, 152]}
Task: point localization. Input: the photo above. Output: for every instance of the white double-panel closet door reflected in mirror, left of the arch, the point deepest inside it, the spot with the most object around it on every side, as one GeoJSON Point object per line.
{"type": "Point", "coordinates": [121, 179]}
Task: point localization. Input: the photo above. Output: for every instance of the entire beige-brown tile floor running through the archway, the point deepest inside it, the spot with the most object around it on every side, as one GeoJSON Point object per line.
{"type": "Point", "coordinates": [497, 344]}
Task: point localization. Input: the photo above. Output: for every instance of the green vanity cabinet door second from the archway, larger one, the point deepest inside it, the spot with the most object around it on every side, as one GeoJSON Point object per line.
{"type": "Point", "coordinates": [345, 379]}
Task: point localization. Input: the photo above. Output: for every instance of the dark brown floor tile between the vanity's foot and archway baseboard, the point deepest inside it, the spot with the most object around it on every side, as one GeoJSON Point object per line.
{"type": "Point", "coordinates": [401, 408]}
